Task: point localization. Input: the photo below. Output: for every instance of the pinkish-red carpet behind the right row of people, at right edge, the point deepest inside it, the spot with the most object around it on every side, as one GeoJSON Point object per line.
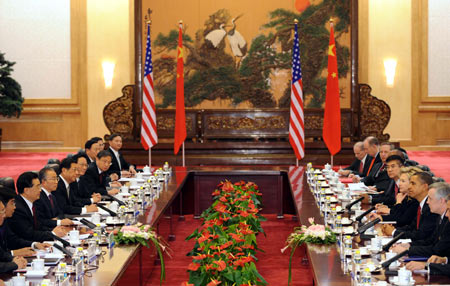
{"type": "Point", "coordinates": [438, 161]}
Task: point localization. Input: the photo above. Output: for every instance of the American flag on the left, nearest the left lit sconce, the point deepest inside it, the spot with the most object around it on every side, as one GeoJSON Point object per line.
{"type": "Point", "coordinates": [149, 137]}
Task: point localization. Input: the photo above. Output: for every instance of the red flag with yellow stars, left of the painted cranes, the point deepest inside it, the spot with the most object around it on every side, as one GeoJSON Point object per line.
{"type": "Point", "coordinates": [180, 116]}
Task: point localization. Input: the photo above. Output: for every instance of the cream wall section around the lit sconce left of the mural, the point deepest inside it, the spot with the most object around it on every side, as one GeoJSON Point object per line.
{"type": "Point", "coordinates": [110, 37]}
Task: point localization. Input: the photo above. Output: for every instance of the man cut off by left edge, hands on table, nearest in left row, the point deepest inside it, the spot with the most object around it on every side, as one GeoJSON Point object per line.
{"type": "Point", "coordinates": [9, 241]}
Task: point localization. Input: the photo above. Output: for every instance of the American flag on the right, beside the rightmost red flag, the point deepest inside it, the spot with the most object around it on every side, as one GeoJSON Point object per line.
{"type": "Point", "coordinates": [296, 122]}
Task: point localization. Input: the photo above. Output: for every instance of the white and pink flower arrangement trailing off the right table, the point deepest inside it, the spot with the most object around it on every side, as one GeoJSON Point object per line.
{"type": "Point", "coordinates": [315, 234]}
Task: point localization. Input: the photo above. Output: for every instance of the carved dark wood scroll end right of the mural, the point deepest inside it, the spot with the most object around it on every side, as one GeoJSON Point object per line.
{"type": "Point", "coordinates": [374, 116]}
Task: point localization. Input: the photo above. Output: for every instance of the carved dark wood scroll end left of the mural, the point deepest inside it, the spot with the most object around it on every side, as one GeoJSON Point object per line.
{"type": "Point", "coordinates": [118, 114]}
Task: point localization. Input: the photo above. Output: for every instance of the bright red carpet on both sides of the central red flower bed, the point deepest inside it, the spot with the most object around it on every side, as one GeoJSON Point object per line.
{"type": "Point", "coordinates": [272, 265]}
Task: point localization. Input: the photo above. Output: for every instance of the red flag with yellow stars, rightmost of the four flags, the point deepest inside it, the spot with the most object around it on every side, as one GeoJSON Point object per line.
{"type": "Point", "coordinates": [332, 116]}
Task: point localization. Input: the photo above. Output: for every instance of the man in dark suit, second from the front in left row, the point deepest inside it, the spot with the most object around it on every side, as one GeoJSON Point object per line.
{"type": "Point", "coordinates": [24, 222]}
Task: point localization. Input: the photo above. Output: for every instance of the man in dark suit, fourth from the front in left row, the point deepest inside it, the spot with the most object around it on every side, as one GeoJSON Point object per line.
{"type": "Point", "coordinates": [66, 194]}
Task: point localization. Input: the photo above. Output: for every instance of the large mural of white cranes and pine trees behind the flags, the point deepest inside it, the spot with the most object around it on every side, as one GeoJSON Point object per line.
{"type": "Point", "coordinates": [238, 53]}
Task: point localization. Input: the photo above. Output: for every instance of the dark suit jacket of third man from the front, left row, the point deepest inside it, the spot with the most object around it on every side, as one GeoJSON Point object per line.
{"type": "Point", "coordinates": [46, 212]}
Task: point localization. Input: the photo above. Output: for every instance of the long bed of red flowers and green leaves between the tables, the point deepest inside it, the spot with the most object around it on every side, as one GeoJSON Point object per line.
{"type": "Point", "coordinates": [225, 244]}
